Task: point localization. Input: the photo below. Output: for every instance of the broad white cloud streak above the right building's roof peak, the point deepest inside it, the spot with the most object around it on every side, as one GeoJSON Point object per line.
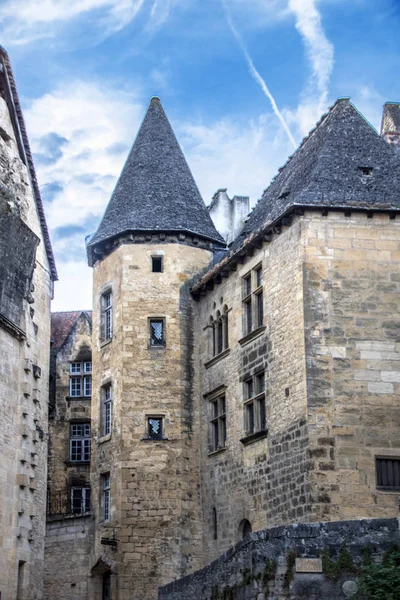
{"type": "Point", "coordinates": [319, 49]}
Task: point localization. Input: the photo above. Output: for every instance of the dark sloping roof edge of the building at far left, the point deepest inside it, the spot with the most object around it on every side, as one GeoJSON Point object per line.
{"type": "Point", "coordinates": [9, 88]}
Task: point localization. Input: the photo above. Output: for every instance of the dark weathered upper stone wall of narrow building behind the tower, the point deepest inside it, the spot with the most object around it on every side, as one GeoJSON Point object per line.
{"type": "Point", "coordinates": [62, 473]}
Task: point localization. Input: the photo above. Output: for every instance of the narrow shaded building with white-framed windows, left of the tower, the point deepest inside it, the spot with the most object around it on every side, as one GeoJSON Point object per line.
{"type": "Point", "coordinates": [69, 530]}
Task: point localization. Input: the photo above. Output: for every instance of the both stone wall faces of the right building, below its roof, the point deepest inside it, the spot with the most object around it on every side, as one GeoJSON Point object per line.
{"type": "Point", "coordinates": [328, 347]}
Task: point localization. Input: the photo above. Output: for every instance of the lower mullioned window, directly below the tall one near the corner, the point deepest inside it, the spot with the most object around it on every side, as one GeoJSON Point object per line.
{"type": "Point", "coordinates": [254, 405]}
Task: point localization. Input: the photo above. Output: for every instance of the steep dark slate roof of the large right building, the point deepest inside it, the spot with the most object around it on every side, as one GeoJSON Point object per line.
{"type": "Point", "coordinates": [343, 163]}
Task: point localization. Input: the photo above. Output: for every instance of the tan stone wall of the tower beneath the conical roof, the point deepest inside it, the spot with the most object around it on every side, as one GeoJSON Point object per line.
{"type": "Point", "coordinates": [155, 501]}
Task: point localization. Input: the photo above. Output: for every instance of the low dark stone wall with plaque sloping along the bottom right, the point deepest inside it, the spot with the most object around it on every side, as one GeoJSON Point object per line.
{"type": "Point", "coordinates": [293, 562]}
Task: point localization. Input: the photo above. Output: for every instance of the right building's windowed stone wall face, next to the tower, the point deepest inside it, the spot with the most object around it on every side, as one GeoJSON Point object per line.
{"type": "Point", "coordinates": [265, 481]}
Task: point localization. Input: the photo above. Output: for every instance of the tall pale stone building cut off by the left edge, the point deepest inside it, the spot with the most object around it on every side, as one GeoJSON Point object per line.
{"type": "Point", "coordinates": [27, 273]}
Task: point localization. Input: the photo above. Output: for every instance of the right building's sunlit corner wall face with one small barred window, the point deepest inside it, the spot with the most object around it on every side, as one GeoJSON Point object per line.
{"type": "Point", "coordinates": [351, 290]}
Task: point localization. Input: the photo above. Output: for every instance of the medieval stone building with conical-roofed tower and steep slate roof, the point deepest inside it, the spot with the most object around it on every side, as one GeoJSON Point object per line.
{"type": "Point", "coordinates": [234, 388]}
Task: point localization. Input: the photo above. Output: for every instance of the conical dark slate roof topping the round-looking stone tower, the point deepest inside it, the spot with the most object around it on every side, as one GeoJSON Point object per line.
{"type": "Point", "coordinates": [156, 190]}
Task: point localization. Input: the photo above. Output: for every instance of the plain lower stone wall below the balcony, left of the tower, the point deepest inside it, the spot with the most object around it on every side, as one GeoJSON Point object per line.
{"type": "Point", "coordinates": [67, 558]}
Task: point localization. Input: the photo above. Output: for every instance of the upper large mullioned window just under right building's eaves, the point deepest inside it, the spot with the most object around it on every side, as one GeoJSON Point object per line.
{"type": "Point", "coordinates": [253, 300]}
